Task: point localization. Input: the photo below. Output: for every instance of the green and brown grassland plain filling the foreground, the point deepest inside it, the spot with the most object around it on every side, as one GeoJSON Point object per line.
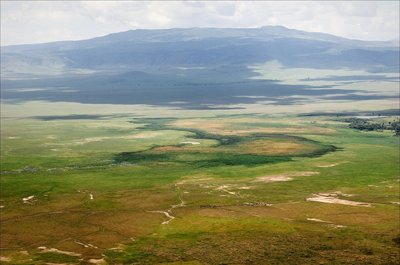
{"type": "Point", "coordinates": [224, 189]}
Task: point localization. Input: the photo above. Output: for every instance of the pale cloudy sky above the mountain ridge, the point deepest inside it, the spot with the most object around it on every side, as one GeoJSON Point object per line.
{"type": "Point", "coordinates": [25, 22]}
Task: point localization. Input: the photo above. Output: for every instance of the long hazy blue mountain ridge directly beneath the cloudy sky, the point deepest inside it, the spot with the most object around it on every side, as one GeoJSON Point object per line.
{"type": "Point", "coordinates": [202, 47]}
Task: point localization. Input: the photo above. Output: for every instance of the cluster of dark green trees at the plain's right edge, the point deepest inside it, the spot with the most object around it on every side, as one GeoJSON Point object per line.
{"type": "Point", "coordinates": [368, 125]}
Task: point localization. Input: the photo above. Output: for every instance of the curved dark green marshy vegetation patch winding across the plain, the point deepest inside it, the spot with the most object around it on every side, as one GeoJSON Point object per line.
{"type": "Point", "coordinates": [227, 151]}
